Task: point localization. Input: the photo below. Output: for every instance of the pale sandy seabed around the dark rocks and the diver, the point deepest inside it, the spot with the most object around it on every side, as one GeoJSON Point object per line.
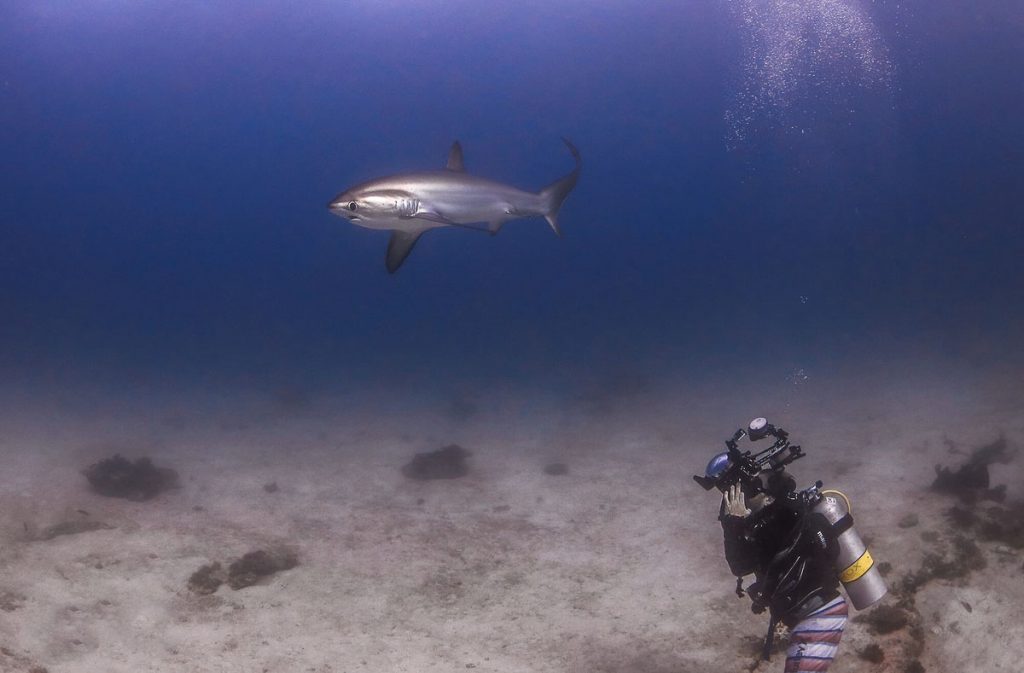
{"type": "Point", "coordinates": [615, 567]}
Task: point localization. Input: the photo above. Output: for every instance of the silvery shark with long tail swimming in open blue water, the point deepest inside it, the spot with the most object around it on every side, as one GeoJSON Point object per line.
{"type": "Point", "coordinates": [409, 204]}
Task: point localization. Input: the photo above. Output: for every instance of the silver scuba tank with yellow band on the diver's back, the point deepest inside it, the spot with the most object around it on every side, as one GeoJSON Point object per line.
{"type": "Point", "coordinates": [855, 565]}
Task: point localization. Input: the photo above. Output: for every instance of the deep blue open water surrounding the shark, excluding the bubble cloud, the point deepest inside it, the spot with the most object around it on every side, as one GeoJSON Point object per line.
{"type": "Point", "coordinates": [166, 167]}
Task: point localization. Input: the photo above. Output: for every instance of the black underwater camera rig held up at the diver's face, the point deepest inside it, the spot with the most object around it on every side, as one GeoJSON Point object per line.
{"type": "Point", "coordinates": [745, 467]}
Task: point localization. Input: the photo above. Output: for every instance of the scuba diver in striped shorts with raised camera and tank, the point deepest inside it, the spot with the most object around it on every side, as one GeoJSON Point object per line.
{"type": "Point", "coordinates": [800, 546]}
